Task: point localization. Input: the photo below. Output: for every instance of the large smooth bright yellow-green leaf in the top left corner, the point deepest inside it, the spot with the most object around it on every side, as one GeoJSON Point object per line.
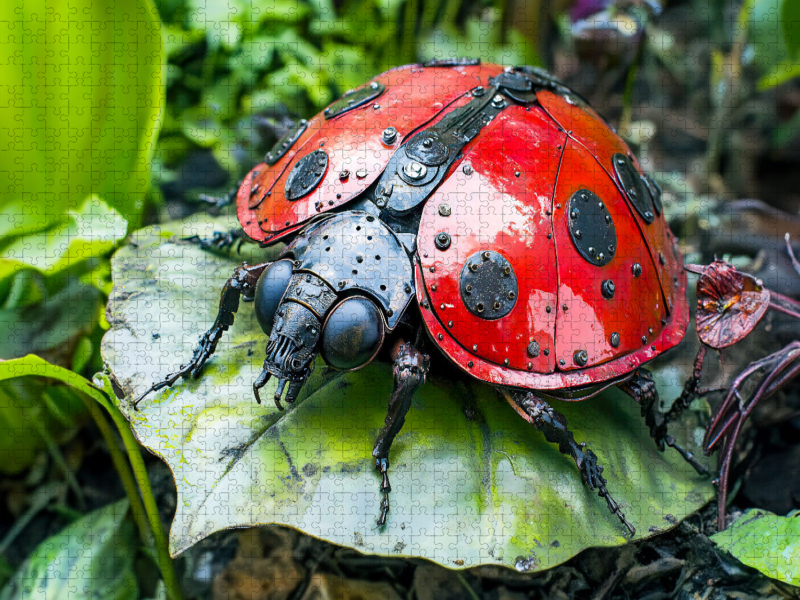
{"type": "Point", "coordinates": [80, 99]}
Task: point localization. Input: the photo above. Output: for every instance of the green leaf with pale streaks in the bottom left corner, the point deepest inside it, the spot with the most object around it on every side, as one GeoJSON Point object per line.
{"type": "Point", "coordinates": [91, 558]}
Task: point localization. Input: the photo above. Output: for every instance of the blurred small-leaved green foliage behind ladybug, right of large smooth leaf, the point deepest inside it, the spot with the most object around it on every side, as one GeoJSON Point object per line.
{"type": "Point", "coordinates": [234, 64]}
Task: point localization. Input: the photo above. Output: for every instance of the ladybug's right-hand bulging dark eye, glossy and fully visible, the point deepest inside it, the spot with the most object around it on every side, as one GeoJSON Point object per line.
{"type": "Point", "coordinates": [353, 334]}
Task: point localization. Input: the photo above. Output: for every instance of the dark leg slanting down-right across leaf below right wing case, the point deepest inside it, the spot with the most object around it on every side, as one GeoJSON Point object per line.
{"type": "Point", "coordinates": [554, 427]}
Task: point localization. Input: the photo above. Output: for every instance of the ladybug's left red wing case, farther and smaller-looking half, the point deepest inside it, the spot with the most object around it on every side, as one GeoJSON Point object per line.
{"type": "Point", "coordinates": [354, 143]}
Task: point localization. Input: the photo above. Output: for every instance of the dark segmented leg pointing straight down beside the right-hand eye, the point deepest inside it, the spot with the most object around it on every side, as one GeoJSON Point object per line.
{"type": "Point", "coordinates": [410, 369]}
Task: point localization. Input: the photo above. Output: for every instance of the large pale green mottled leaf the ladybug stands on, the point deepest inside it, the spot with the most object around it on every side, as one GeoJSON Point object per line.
{"type": "Point", "coordinates": [472, 482]}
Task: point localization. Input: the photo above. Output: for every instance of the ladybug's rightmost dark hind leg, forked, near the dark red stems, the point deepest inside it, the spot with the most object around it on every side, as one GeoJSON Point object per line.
{"type": "Point", "coordinates": [642, 388]}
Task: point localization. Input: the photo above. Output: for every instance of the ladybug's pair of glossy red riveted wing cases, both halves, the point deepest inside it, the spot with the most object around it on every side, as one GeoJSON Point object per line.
{"type": "Point", "coordinates": [508, 192]}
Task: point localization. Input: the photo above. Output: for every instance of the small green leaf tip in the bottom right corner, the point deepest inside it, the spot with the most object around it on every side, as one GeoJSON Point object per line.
{"type": "Point", "coordinates": [767, 542]}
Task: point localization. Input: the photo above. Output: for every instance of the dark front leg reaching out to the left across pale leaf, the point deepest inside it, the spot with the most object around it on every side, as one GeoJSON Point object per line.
{"type": "Point", "coordinates": [242, 283]}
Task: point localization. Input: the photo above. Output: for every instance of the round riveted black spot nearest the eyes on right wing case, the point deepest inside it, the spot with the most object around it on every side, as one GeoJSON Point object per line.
{"type": "Point", "coordinates": [489, 287]}
